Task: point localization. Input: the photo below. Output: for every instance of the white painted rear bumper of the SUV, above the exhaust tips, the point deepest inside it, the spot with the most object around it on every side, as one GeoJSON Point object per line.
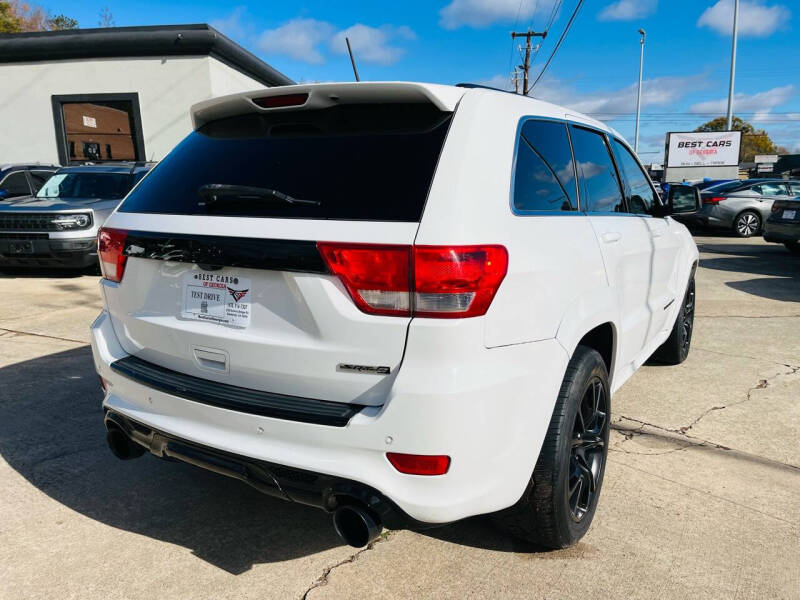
{"type": "Point", "coordinates": [487, 409]}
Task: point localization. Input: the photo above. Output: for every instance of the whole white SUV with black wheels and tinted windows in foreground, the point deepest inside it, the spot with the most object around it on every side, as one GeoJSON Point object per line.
{"type": "Point", "coordinates": [405, 304]}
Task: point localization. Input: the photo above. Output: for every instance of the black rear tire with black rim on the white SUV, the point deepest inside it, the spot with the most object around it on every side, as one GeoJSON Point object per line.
{"type": "Point", "coordinates": [572, 459]}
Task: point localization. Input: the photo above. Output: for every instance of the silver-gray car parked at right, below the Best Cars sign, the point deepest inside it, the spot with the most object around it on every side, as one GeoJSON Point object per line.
{"type": "Point", "coordinates": [742, 206]}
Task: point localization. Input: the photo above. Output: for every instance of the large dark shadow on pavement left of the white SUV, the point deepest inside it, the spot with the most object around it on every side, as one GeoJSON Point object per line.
{"type": "Point", "coordinates": [51, 432]}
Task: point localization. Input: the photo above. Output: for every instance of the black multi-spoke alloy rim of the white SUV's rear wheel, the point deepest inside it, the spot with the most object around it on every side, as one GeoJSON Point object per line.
{"type": "Point", "coordinates": [587, 455]}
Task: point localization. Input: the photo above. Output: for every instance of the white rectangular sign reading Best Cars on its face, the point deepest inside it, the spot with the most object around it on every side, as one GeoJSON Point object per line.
{"type": "Point", "coordinates": [703, 149]}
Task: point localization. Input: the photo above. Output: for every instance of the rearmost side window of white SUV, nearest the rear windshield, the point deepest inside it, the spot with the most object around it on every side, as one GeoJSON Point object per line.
{"type": "Point", "coordinates": [544, 178]}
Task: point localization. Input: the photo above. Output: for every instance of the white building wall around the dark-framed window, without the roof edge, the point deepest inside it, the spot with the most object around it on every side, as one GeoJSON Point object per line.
{"type": "Point", "coordinates": [167, 87]}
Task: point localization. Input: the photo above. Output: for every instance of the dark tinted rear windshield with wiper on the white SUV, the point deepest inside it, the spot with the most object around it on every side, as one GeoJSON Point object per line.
{"type": "Point", "coordinates": [355, 162]}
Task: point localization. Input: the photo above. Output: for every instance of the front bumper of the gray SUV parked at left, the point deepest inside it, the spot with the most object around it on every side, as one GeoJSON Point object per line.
{"type": "Point", "coordinates": [21, 250]}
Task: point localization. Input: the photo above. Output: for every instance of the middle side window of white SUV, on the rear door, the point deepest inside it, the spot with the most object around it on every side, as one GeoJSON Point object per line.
{"type": "Point", "coordinates": [598, 182]}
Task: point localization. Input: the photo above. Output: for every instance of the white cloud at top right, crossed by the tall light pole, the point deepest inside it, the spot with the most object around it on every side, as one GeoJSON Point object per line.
{"type": "Point", "coordinates": [755, 18]}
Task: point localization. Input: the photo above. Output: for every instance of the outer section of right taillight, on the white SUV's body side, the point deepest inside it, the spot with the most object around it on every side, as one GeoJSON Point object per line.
{"type": "Point", "coordinates": [457, 281]}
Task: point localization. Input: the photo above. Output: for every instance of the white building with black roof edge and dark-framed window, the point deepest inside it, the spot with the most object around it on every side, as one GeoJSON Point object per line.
{"type": "Point", "coordinates": [120, 93]}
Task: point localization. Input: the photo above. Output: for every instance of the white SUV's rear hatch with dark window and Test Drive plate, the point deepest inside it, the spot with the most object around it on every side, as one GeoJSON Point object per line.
{"type": "Point", "coordinates": [224, 278]}
